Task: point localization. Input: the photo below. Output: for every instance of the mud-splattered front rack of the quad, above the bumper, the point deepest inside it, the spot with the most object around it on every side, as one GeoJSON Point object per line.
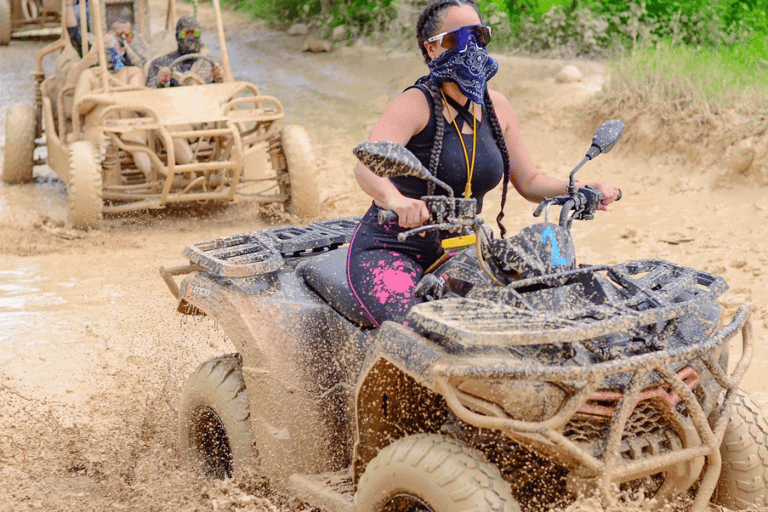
{"type": "Point", "coordinates": [638, 293]}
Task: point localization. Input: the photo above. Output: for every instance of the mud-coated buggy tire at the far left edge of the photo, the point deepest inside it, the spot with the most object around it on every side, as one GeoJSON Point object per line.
{"type": "Point", "coordinates": [19, 144]}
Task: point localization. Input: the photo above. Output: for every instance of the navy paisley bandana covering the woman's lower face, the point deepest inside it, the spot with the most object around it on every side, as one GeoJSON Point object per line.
{"type": "Point", "coordinates": [470, 69]}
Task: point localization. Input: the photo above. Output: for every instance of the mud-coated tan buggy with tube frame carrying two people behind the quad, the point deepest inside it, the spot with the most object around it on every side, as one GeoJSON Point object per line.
{"type": "Point", "coordinates": [231, 132]}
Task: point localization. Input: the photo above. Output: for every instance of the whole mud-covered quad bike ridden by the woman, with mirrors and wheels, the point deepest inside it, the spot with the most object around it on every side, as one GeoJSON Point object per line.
{"type": "Point", "coordinates": [522, 381]}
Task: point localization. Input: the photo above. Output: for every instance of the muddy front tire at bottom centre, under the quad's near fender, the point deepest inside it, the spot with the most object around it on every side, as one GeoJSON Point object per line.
{"type": "Point", "coordinates": [431, 473]}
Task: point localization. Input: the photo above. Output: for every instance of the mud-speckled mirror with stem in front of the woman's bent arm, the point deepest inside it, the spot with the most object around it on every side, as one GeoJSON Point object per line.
{"type": "Point", "coordinates": [390, 160]}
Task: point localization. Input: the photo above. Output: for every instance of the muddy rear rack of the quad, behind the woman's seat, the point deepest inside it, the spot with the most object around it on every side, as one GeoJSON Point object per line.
{"type": "Point", "coordinates": [265, 251]}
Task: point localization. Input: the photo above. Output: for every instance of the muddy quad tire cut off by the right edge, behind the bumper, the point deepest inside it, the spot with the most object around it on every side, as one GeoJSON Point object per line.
{"type": "Point", "coordinates": [744, 475]}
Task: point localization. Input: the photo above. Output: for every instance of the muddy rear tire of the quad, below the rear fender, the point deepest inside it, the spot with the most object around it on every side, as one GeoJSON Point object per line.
{"type": "Point", "coordinates": [214, 428]}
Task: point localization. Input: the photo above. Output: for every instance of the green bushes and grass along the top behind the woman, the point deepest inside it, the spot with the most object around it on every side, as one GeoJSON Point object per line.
{"type": "Point", "coordinates": [699, 55]}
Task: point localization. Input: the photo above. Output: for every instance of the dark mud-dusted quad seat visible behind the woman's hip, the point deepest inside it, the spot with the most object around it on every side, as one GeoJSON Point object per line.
{"type": "Point", "coordinates": [327, 275]}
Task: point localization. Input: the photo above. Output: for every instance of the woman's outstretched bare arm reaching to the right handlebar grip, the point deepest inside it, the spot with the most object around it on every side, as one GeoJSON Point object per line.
{"type": "Point", "coordinates": [527, 180]}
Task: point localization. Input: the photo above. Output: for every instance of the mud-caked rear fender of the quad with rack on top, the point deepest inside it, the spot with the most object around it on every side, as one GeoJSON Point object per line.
{"type": "Point", "coordinates": [300, 354]}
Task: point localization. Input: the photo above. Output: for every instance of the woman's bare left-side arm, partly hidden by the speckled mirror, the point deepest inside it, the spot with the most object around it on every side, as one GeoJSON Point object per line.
{"type": "Point", "coordinates": [407, 115]}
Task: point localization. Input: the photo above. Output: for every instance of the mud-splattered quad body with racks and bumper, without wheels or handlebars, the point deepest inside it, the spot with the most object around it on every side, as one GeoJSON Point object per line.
{"type": "Point", "coordinates": [611, 373]}
